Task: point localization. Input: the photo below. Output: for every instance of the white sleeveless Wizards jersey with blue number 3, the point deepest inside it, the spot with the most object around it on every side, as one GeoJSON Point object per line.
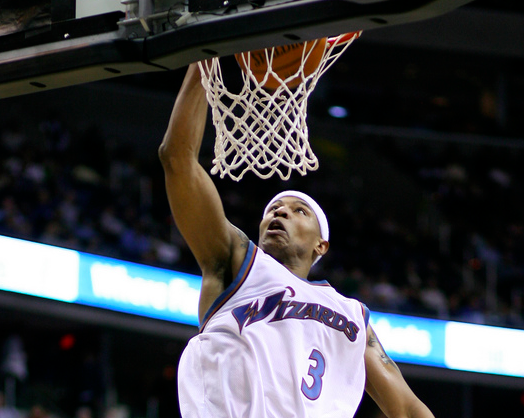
{"type": "Point", "coordinates": [273, 346]}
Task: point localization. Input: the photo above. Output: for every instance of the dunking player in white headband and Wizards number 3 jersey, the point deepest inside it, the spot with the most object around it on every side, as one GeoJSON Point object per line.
{"type": "Point", "coordinates": [271, 343]}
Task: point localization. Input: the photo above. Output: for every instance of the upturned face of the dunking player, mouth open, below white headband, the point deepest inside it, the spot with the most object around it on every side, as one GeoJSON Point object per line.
{"type": "Point", "coordinates": [289, 230]}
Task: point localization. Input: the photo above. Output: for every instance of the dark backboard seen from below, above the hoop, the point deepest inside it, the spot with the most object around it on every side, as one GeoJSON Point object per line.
{"type": "Point", "coordinates": [109, 38]}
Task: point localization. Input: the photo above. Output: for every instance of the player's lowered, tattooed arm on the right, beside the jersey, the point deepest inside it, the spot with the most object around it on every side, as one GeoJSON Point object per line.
{"type": "Point", "coordinates": [386, 385]}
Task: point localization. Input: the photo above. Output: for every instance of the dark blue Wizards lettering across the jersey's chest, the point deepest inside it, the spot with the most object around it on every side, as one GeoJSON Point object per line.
{"type": "Point", "coordinates": [288, 309]}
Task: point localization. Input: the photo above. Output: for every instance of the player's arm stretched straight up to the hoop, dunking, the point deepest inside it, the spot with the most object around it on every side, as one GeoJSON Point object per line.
{"type": "Point", "coordinates": [194, 201]}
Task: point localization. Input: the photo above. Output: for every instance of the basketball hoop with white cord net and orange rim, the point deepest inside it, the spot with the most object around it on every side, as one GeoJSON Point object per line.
{"type": "Point", "coordinates": [263, 130]}
